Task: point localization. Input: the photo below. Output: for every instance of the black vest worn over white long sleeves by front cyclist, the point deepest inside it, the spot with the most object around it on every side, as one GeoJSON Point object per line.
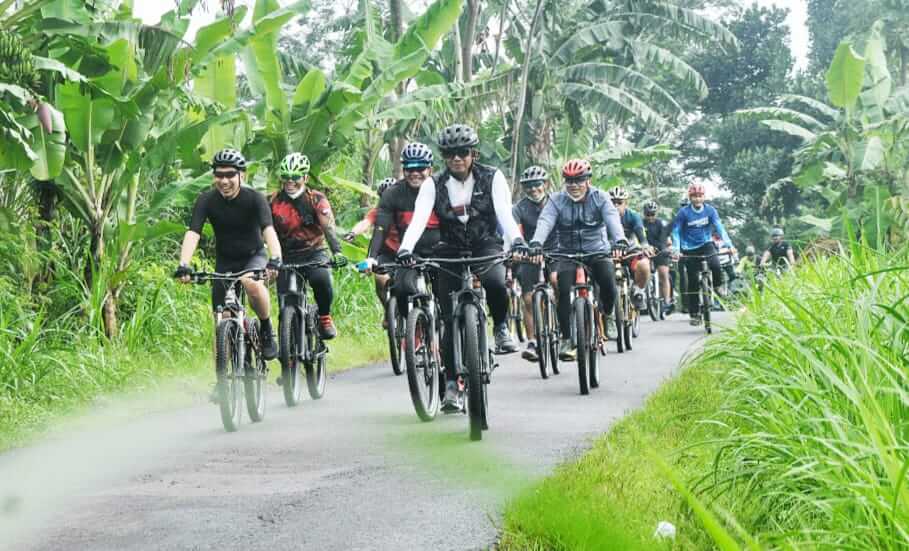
{"type": "Point", "coordinates": [482, 226]}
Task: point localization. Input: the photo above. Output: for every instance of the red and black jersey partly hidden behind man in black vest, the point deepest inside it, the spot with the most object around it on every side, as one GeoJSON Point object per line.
{"type": "Point", "coordinates": [394, 214]}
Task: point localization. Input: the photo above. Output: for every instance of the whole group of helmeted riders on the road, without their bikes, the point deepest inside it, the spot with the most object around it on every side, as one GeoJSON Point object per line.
{"type": "Point", "coordinates": [463, 210]}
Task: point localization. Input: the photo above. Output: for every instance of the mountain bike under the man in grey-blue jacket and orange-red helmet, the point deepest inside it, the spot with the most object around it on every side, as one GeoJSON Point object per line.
{"type": "Point", "coordinates": [588, 324]}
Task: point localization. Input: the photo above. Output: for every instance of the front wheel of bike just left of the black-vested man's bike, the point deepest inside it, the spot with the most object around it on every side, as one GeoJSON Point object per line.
{"type": "Point", "coordinates": [421, 357]}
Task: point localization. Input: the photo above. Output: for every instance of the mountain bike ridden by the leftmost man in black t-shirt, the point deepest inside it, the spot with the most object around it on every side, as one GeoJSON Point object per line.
{"type": "Point", "coordinates": [238, 351]}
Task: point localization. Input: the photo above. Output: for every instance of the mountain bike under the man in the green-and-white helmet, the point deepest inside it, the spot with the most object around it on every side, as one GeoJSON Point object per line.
{"type": "Point", "coordinates": [299, 340]}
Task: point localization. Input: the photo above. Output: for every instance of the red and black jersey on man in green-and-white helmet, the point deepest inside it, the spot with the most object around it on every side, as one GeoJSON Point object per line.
{"type": "Point", "coordinates": [302, 224]}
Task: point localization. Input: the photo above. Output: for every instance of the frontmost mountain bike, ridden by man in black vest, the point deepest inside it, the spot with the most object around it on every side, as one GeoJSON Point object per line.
{"type": "Point", "coordinates": [473, 359]}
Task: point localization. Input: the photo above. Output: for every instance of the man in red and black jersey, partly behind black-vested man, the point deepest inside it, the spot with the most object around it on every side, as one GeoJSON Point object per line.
{"type": "Point", "coordinates": [394, 213]}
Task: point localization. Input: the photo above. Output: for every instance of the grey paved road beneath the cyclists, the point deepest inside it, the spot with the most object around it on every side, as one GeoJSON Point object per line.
{"type": "Point", "coordinates": [355, 470]}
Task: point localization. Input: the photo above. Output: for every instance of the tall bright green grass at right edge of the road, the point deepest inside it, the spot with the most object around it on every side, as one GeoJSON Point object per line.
{"type": "Point", "coordinates": [816, 407]}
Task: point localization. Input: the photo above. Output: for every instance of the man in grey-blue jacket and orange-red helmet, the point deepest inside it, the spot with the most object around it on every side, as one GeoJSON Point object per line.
{"type": "Point", "coordinates": [584, 221]}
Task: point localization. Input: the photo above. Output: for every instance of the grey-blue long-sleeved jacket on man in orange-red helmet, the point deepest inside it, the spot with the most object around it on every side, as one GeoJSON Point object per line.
{"type": "Point", "coordinates": [588, 226]}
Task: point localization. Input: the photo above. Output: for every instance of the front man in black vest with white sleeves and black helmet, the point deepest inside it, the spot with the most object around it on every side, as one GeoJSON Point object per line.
{"type": "Point", "coordinates": [471, 201]}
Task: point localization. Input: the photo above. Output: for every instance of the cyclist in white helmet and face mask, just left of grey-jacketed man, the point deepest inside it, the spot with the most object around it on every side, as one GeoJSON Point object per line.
{"type": "Point", "coordinates": [526, 212]}
